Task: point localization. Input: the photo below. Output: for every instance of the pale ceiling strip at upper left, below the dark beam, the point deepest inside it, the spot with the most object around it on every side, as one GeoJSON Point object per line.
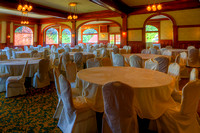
{"type": "Point", "coordinates": [18, 13]}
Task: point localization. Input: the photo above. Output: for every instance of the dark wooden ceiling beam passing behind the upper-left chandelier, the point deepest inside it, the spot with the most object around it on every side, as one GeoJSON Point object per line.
{"type": "Point", "coordinates": [39, 9]}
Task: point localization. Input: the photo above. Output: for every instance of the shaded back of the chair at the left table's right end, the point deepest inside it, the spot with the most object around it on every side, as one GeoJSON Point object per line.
{"type": "Point", "coordinates": [43, 69]}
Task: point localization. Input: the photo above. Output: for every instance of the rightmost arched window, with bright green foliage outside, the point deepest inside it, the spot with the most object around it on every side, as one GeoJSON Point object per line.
{"type": "Point", "coordinates": [152, 34]}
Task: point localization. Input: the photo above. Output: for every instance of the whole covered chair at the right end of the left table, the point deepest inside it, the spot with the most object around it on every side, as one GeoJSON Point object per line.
{"type": "Point", "coordinates": [41, 77]}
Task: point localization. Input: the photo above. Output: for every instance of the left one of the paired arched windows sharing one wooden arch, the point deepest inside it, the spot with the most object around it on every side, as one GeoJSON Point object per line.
{"type": "Point", "coordinates": [51, 36]}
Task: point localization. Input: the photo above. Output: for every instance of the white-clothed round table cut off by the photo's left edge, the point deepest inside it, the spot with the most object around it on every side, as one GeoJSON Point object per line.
{"type": "Point", "coordinates": [15, 66]}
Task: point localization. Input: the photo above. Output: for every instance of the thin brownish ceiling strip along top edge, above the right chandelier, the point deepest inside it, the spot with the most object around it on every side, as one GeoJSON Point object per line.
{"type": "Point", "coordinates": [142, 2]}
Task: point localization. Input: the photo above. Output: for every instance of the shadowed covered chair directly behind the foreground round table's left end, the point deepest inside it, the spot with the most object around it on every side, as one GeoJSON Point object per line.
{"type": "Point", "coordinates": [78, 59]}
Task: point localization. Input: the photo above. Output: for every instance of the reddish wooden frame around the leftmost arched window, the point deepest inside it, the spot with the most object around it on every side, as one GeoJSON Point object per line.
{"type": "Point", "coordinates": [17, 26]}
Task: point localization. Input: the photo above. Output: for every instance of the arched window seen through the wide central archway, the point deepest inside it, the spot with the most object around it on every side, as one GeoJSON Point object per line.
{"type": "Point", "coordinates": [90, 36]}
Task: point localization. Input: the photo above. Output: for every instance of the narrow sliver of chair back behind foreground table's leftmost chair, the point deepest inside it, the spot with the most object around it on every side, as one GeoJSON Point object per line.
{"type": "Point", "coordinates": [56, 74]}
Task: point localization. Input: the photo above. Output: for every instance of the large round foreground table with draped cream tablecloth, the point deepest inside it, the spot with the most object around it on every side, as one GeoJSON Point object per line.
{"type": "Point", "coordinates": [152, 89]}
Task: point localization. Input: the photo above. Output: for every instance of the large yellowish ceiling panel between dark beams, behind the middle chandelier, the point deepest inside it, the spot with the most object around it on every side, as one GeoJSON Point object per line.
{"type": "Point", "coordinates": [83, 6]}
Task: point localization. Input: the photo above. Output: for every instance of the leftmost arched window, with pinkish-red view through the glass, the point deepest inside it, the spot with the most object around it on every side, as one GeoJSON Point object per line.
{"type": "Point", "coordinates": [23, 36]}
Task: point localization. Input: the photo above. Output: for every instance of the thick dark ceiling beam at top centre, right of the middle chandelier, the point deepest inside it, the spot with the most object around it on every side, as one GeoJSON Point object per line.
{"type": "Point", "coordinates": [114, 5]}
